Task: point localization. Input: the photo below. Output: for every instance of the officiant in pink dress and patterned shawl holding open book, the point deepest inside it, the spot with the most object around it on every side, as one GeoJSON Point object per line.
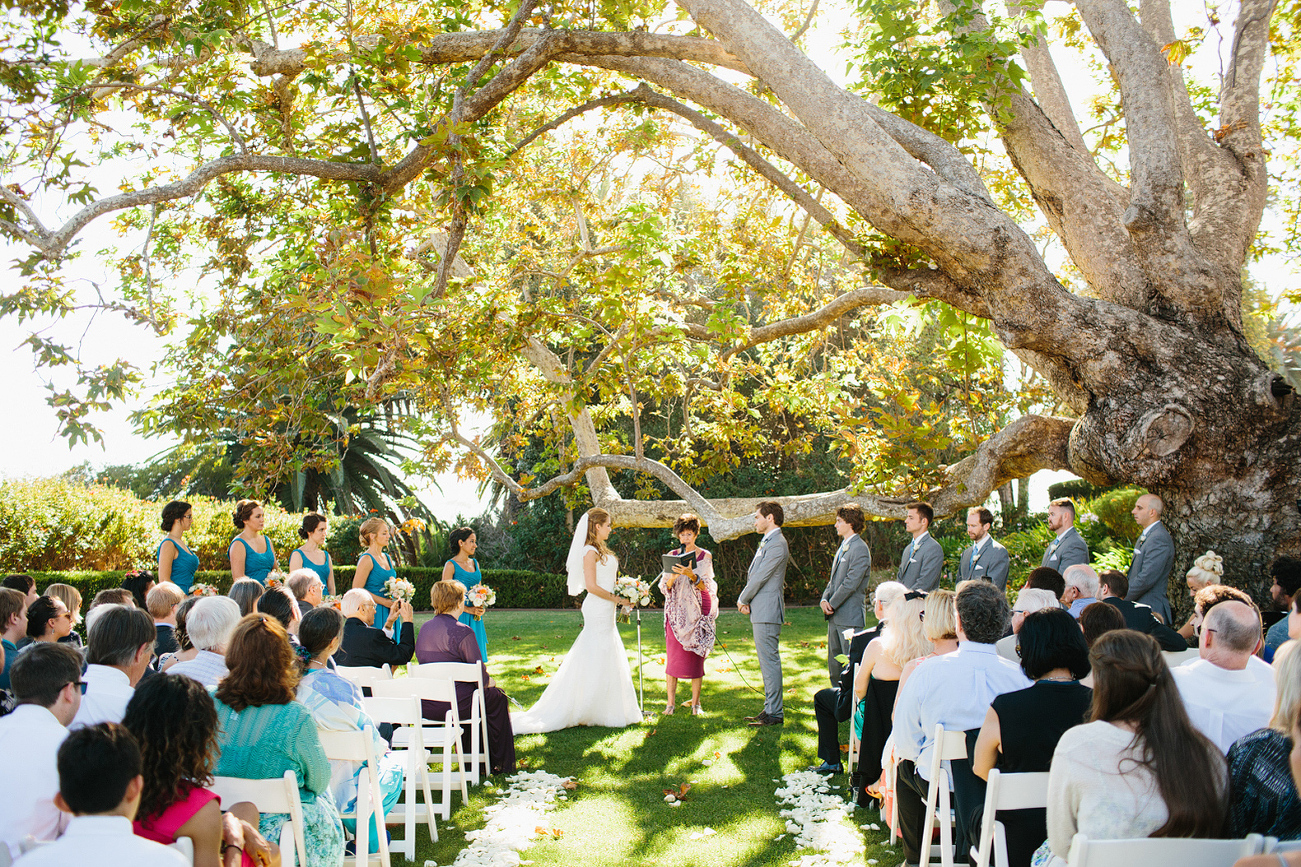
{"type": "Point", "coordinates": [690, 611]}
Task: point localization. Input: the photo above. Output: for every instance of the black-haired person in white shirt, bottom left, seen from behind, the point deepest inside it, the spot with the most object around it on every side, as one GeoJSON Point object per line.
{"type": "Point", "coordinates": [100, 784]}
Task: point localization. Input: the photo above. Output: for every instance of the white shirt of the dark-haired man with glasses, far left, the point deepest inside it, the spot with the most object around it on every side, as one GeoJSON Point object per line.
{"type": "Point", "coordinates": [29, 750]}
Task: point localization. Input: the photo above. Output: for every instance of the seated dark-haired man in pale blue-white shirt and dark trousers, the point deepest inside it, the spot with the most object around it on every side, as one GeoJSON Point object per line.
{"type": "Point", "coordinates": [954, 691]}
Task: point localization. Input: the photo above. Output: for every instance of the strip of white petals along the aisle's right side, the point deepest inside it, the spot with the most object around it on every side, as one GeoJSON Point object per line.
{"type": "Point", "coordinates": [820, 821]}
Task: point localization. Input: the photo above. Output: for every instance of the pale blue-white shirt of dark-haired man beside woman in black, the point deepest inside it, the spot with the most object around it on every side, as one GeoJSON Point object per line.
{"type": "Point", "coordinates": [956, 691]}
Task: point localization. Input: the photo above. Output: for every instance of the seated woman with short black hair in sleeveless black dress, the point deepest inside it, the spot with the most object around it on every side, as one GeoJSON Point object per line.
{"type": "Point", "coordinates": [1022, 728]}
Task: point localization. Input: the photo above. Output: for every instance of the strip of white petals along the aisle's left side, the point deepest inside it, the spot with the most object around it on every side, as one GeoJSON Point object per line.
{"type": "Point", "coordinates": [516, 821]}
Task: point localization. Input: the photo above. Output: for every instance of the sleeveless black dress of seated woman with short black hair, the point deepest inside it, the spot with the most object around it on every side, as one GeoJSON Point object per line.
{"type": "Point", "coordinates": [1031, 723]}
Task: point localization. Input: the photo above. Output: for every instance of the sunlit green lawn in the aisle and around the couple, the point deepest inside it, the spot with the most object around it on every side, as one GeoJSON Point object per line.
{"type": "Point", "coordinates": [619, 816]}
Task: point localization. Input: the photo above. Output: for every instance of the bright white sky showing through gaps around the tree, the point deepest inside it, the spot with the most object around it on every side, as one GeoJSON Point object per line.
{"type": "Point", "coordinates": [33, 447]}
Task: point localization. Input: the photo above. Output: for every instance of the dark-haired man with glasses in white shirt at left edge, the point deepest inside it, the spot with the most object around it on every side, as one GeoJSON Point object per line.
{"type": "Point", "coordinates": [46, 680]}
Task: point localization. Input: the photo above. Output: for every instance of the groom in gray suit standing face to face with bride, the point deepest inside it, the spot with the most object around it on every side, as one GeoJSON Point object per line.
{"type": "Point", "coordinates": [762, 599]}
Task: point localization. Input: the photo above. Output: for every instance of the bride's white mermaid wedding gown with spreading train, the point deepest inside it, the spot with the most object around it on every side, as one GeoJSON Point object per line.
{"type": "Point", "coordinates": [594, 685]}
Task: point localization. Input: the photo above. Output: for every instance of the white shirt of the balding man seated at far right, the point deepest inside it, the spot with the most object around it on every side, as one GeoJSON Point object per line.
{"type": "Point", "coordinates": [1226, 705]}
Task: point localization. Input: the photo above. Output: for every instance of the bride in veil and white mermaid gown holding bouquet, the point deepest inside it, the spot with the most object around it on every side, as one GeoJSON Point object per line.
{"type": "Point", "coordinates": [594, 685]}
